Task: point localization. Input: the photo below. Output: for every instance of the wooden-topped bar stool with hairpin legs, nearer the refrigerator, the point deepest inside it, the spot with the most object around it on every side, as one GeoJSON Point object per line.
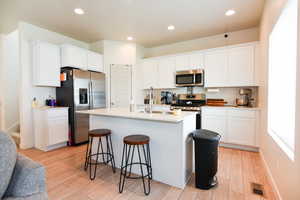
{"type": "Point", "coordinates": [109, 154]}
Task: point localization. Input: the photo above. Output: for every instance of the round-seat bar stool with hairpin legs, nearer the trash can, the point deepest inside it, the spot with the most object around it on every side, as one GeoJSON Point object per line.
{"type": "Point", "coordinates": [138, 141]}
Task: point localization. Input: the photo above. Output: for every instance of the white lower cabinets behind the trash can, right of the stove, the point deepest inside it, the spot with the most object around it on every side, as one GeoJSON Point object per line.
{"type": "Point", "coordinates": [236, 126]}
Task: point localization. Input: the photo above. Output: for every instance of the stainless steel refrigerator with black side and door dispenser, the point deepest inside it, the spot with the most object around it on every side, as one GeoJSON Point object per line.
{"type": "Point", "coordinates": [80, 90]}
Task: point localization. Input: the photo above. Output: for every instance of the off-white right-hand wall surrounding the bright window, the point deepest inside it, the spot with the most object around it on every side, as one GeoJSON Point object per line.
{"type": "Point", "coordinates": [285, 172]}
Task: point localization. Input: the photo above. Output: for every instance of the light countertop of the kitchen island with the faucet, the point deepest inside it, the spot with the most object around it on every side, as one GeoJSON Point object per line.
{"type": "Point", "coordinates": [125, 113]}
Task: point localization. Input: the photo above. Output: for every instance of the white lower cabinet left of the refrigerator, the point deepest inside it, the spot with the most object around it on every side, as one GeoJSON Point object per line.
{"type": "Point", "coordinates": [51, 128]}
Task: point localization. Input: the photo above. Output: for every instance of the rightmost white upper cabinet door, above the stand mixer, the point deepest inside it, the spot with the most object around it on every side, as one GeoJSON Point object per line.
{"type": "Point", "coordinates": [241, 66]}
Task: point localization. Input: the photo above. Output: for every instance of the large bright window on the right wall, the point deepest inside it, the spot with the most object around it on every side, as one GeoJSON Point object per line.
{"type": "Point", "coordinates": [282, 79]}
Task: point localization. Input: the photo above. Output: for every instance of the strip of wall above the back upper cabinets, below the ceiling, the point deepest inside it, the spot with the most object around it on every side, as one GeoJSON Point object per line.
{"type": "Point", "coordinates": [243, 36]}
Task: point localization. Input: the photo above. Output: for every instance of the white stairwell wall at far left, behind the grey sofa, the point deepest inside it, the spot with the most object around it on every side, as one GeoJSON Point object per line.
{"type": "Point", "coordinates": [11, 81]}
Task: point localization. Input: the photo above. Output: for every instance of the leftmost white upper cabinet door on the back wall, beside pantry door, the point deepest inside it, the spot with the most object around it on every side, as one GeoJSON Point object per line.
{"type": "Point", "coordinates": [150, 76]}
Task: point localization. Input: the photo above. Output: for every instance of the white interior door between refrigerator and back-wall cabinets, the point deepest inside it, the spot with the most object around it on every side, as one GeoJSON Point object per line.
{"type": "Point", "coordinates": [120, 85]}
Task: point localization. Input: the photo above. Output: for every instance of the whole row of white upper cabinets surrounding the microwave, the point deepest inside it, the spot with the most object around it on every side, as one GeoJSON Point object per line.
{"type": "Point", "coordinates": [231, 66]}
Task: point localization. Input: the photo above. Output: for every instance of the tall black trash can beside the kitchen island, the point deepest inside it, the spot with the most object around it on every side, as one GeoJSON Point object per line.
{"type": "Point", "coordinates": [206, 158]}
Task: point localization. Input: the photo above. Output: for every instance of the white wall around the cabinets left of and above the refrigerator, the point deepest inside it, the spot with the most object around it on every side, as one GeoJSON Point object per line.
{"type": "Point", "coordinates": [29, 33]}
